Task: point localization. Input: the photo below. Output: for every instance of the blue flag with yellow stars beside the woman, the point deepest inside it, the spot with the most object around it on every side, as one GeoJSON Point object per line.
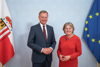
{"type": "Point", "coordinates": [91, 33]}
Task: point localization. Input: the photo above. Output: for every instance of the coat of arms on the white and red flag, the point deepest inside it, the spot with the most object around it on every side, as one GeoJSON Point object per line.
{"type": "Point", "coordinates": [5, 27]}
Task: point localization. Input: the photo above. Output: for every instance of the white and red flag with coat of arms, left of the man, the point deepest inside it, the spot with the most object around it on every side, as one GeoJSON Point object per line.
{"type": "Point", "coordinates": [6, 34]}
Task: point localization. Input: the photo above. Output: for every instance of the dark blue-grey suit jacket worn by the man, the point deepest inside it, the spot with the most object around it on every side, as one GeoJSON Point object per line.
{"type": "Point", "coordinates": [36, 42]}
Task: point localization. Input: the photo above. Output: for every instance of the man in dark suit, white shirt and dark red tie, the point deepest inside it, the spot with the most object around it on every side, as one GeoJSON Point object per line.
{"type": "Point", "coordinates": [42, 41]}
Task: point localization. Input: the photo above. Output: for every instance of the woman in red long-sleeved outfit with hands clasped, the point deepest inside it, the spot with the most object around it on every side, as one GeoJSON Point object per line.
{"type": "Point", "coordinates": [69, 47]}
